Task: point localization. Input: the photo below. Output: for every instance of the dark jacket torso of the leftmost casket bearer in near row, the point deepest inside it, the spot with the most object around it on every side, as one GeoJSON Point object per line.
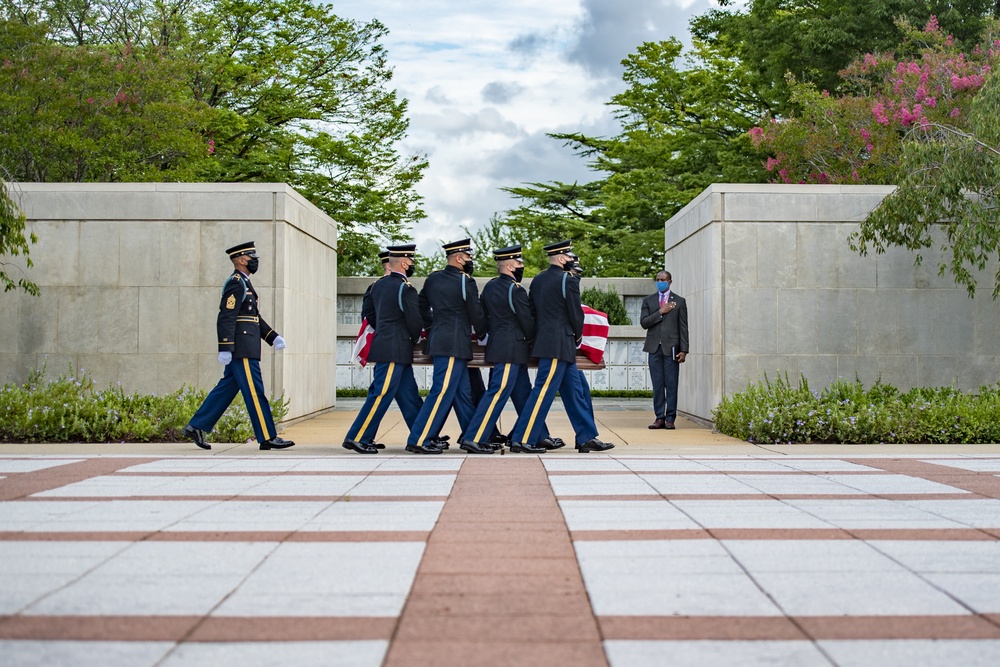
{"type": "Point", "coordinates": [397, 312]}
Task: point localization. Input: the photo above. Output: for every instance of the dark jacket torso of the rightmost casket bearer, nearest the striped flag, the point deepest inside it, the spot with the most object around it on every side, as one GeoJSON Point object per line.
{"type": "Point", "coordinates": [558, 317]}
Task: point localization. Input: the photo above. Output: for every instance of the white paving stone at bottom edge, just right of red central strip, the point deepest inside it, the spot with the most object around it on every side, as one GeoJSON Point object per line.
{"type": "Point", "coordinates": [622, 653]}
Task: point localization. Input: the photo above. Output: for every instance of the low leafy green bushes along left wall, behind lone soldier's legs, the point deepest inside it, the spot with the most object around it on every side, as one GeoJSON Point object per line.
{"type": "Point", "coordinates": [69, 409]}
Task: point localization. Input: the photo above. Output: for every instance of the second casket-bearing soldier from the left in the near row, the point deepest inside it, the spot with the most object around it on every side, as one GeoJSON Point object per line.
{"type": "Point", "coordinates": [449, 305]}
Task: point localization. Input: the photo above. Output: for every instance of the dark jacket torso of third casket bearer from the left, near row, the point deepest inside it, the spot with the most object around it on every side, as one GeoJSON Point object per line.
{"type": "Point", "coordinates": [511, 322]}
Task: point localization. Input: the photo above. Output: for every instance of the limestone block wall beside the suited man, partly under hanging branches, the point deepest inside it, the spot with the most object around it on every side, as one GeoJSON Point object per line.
{"type": "Point", "coordinates": [773, 286]}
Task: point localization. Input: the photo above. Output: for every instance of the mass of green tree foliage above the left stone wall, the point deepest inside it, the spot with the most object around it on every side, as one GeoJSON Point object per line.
{"type": "Point", "coordinates": [212, 90]}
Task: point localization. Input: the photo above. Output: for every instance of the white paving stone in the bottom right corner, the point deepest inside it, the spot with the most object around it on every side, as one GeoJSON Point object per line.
{"type": "Point", "coordinates": [914, 653]}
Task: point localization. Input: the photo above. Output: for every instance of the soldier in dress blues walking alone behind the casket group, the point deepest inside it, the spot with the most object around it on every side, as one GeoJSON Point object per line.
{"type": "Point", "coordinates": [241, 328]}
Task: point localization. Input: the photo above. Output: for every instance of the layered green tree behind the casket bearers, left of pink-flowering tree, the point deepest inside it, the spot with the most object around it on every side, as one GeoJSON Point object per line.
{"type": "Point", "coordinates": [684, 123]}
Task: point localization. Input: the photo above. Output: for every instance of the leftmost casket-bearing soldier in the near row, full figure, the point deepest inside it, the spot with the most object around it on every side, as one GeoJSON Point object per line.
{"type": "Point", "coordinates": [397, 329]}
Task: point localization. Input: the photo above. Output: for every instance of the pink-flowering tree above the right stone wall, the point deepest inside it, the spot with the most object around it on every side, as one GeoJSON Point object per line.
{"type": "Point", "coordinates": [857, 136]}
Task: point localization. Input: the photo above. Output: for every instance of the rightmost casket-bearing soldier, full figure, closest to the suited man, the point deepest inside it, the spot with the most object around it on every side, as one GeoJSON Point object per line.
{"type": "Point", "coordinates": [555, 295]}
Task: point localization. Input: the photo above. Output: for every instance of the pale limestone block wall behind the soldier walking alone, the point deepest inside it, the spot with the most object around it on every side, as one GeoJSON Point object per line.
{"type": "Point", "coordinates": [130, 276]}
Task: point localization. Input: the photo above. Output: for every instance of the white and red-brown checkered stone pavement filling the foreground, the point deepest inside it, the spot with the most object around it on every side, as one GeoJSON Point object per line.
{"type": "Point", "coordinates": [562, 560]}
